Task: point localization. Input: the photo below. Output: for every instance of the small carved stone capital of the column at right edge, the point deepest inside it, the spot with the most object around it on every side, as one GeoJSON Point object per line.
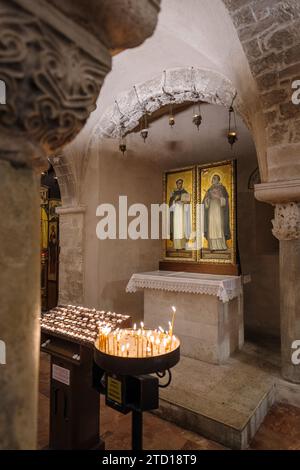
{"type": "Point", "coordinates": [286, 224]}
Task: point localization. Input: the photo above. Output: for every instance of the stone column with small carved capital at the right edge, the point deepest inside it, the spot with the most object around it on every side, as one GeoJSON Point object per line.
{"type": "Point", "coordinates": [286, 227]}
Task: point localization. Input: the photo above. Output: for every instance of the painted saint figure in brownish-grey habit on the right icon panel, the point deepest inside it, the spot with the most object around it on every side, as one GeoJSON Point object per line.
{"type": "Point", "coordinates": [216, 216]}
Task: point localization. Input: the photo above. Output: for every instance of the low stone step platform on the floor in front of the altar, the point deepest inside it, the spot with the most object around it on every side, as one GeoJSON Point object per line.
{"type": "Point", "coordinates": [226, 403]}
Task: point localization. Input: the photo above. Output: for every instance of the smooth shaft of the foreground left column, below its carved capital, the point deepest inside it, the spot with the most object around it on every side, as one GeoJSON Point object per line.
{"type": "Point", "coordinates": [20, 305]}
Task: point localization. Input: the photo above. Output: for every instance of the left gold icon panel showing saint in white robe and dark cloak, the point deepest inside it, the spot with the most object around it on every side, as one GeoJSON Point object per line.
{"type": "Point", "coordinates": [180, 199]}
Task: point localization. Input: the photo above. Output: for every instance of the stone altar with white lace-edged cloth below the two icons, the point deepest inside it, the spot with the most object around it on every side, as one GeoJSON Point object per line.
{"type": "Point", "coordinates": [209, 310]}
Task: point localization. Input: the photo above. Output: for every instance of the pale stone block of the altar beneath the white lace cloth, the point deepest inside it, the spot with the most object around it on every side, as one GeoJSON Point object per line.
{"type": "Point", "coordinates": [209, 330]}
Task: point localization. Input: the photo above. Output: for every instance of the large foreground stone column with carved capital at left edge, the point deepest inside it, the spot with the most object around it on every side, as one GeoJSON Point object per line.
{"type": "Point", "coordinates": [53, 69]}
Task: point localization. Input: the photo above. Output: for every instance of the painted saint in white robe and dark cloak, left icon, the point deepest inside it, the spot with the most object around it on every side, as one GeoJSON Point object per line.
{"type": "Point", "coordinates": [180, 216]}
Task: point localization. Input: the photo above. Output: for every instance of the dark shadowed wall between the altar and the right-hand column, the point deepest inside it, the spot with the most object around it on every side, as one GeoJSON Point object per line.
{"type": "Point", "coordinates": [259, 254]}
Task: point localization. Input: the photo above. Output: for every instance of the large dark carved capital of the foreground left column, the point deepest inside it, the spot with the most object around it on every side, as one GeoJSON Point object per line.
{"type": "Point", "coordinates": [52, 83]}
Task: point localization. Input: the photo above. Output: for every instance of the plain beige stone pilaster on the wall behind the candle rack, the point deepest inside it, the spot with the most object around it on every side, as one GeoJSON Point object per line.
{"type": "Point", "coordinates": [71, 257]}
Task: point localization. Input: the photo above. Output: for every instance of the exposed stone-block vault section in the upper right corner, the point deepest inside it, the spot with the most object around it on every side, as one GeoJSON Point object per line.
{"type": "Point", "coordinates": [269, 31]}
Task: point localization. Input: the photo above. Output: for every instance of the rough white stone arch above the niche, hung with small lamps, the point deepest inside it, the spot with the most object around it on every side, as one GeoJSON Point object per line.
{"type": "Point", "coordinates": [176, 85]}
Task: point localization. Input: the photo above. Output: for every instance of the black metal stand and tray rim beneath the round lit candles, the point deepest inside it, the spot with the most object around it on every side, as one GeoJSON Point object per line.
{"type": "Point", "coordinates": [128, 386]}
